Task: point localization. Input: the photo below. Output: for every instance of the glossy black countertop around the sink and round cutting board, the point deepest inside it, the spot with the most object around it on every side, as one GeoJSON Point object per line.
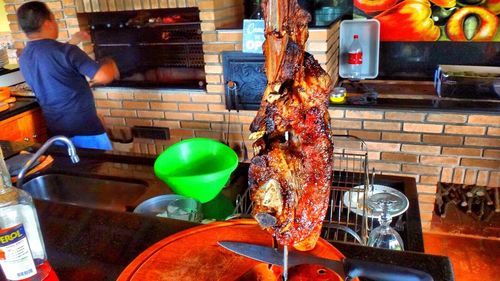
{"type": "Point", "coordinates": [92, 244]}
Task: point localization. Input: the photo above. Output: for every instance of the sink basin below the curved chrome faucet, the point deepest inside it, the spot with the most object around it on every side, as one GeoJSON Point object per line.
{"type": "Point", "coordinates": [95, 192]}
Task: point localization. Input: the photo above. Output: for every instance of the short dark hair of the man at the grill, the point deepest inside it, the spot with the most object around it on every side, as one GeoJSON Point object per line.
{"type": "Point", "coordinates": [32, 15]}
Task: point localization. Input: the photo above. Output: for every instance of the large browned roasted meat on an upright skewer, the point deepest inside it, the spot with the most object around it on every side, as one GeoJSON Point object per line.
{"type": "Point", "coordinates": [291, 173]}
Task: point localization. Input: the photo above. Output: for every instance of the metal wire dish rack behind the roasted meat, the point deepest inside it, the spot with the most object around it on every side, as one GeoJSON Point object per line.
{"type": "Point", "coordinates": [343, 222]}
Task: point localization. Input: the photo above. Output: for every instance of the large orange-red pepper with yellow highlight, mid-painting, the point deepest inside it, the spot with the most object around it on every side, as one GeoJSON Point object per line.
{"type": "Point", "coordinates": [409, 20]}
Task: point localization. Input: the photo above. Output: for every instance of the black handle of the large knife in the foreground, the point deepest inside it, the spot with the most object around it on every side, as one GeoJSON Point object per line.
{"type": "Point", "coordinates": [382, 272]}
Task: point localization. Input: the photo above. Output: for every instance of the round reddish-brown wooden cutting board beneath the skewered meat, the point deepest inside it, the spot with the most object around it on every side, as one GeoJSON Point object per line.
{"type": "Point", "coordinates": [193, 254]}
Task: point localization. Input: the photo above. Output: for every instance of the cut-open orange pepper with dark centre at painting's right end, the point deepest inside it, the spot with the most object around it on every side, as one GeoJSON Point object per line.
{"type": "Point", "coordinates": [472, 23]}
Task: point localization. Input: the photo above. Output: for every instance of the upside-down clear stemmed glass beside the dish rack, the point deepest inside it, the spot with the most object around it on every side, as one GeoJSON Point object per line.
{"type": "Point", "coordinates": [384, 236]}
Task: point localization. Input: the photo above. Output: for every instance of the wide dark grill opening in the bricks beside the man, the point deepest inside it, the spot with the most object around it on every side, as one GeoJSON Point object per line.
{"type": "Point", "coordinates": [152, 48]}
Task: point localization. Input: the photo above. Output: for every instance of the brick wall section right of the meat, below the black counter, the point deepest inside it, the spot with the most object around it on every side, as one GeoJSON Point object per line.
{"type": "Point", "coordinates": [430, 147]}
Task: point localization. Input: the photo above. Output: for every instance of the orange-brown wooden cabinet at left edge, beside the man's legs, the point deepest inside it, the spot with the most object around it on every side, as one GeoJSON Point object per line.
{"type": "Point", "coordinates": [28, 126]}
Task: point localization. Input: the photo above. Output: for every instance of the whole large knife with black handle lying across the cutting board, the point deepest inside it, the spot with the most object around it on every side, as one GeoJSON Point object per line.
{"type": "Point", "coordinates": [346, 268]}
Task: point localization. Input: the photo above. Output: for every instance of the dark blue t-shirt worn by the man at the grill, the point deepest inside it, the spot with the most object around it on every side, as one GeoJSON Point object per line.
{"type": "Point", "coordinates": [56, 72]}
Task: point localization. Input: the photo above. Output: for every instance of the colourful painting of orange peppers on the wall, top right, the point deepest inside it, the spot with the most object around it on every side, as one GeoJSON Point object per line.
{"type": "Point", "coordinates": [433, 20]}
